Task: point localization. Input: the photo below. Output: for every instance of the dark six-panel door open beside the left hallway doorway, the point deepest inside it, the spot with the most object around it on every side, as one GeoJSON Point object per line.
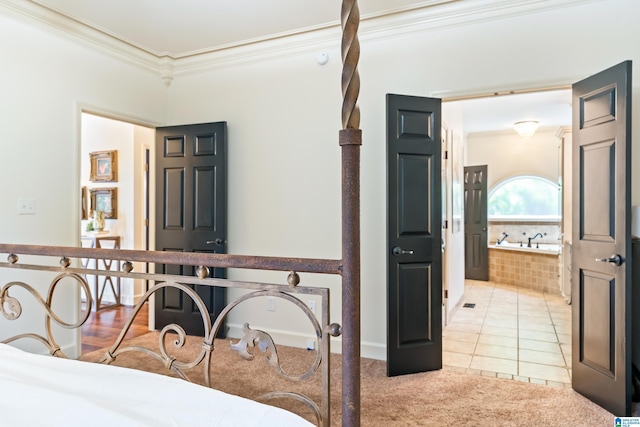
{"type": "Point", "coordinates": [190, 213]}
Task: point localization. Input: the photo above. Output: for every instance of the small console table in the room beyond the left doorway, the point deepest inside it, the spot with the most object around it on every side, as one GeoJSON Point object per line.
{"type": "Point", "coordinates": [102, 283]}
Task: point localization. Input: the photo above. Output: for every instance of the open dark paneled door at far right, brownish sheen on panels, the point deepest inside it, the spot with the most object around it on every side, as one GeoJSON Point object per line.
{"type": "Point", "coordinates": [601, 316]}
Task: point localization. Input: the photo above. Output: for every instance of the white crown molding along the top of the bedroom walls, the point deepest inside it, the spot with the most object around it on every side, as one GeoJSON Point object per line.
{"type": "Point", "coordinates": [429, 16]}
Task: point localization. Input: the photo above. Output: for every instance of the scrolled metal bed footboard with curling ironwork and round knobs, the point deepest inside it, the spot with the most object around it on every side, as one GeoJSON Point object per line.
{"type": "Point", "coordinates": [12, 309]}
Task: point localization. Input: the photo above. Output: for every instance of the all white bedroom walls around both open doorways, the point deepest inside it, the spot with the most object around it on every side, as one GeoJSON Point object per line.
{"type": "Point", "coordinates": [284, 115]}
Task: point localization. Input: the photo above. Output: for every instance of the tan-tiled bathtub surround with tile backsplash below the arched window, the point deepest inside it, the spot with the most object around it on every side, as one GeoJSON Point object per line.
{"type": "Point", "coordinates": [537, 270]}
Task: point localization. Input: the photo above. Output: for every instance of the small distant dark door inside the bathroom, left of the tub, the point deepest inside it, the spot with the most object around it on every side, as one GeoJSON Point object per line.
{"type": "Point", "coordinates": [476, 259]}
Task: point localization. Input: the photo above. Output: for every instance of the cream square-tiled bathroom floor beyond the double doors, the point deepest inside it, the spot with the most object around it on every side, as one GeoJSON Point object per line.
{"type": "Point", "coordinates": [512, 333]}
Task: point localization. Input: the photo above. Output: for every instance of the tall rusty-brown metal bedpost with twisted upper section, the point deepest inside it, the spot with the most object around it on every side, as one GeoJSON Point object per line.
{"type": "Point", "coordinates": [350, 142]}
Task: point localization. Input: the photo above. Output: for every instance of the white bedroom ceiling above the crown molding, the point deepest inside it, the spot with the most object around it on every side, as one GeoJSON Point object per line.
{"type": "Point", "coordinates": [182, 27]}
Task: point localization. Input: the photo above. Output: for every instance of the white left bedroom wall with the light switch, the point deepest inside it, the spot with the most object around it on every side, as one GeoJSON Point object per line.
{"type": "Point", "coordinates": [46, 81]}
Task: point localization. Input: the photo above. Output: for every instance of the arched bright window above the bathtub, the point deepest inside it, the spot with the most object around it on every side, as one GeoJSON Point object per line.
{"type": "Point", "coordinates": [524, 197]}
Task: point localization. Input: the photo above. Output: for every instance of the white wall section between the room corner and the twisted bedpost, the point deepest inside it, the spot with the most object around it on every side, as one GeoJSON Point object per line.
{"type": "Point", "coordinates": [283, 168]}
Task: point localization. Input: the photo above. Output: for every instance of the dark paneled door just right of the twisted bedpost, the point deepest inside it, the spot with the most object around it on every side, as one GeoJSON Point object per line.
{"type": "Point", "coordinates": [414, 286]}
